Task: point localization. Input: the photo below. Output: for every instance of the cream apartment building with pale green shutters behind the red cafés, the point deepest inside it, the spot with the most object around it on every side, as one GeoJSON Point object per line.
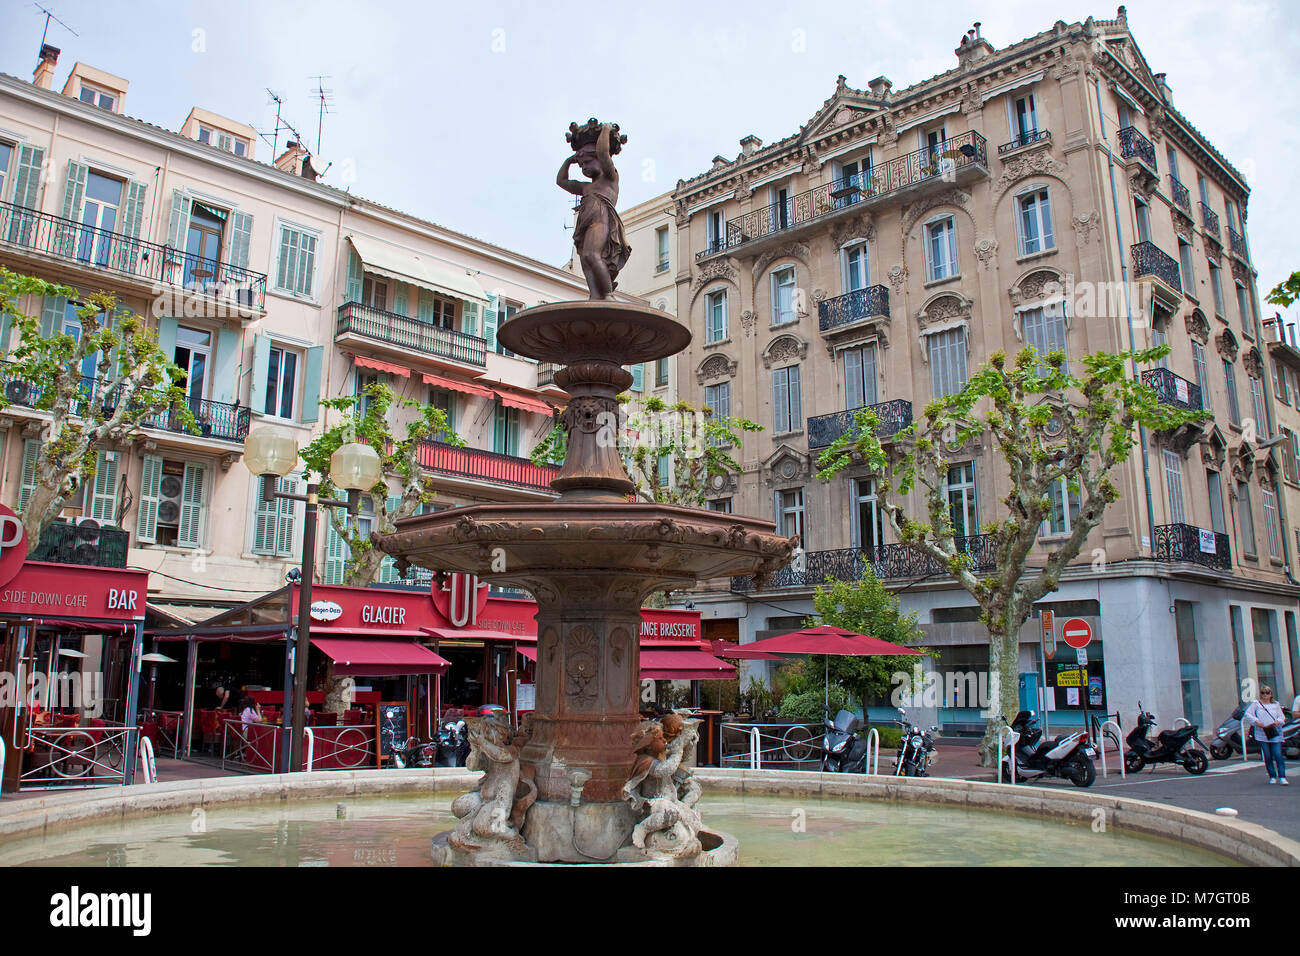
{"type": "Point", "coordinates": [272, 292]}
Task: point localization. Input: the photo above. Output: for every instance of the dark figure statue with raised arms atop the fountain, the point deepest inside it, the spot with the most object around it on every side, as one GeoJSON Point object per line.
{"type": "Point", "coordinates": [599, 235]}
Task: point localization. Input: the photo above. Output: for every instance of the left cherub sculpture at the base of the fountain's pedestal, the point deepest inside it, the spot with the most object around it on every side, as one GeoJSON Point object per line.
{"type": "Point", "coordinates": [493, 812]}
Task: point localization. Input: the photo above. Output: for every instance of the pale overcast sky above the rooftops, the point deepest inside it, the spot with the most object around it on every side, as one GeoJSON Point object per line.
{"type": "Point", "coordinates": [457, 111]}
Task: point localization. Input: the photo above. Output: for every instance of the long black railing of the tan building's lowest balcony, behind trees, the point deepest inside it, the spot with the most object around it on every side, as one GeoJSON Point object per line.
{"type": "Point", "coordinates": [887, 563]}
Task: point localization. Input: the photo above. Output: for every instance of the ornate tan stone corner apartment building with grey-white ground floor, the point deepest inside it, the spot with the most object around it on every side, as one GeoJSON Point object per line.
{"type": "Point", "coordinates": [1045, 193]}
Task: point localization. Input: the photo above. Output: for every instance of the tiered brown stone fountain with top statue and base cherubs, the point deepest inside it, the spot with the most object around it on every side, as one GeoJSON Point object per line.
{"type": "Point", "coordinates": [588, 781]}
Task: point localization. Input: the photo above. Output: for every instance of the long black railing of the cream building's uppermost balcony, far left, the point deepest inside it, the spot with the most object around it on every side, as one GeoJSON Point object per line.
{"type": "Point", "coordinates": [127, 256]}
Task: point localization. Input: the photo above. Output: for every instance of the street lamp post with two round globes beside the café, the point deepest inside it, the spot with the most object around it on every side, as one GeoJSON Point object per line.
{"type": "Point", "coordinates": [272, 453]}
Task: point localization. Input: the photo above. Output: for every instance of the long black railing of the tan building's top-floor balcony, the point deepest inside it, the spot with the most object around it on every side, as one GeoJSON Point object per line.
{"type": "Point", "coordinates": [941, 165]}
